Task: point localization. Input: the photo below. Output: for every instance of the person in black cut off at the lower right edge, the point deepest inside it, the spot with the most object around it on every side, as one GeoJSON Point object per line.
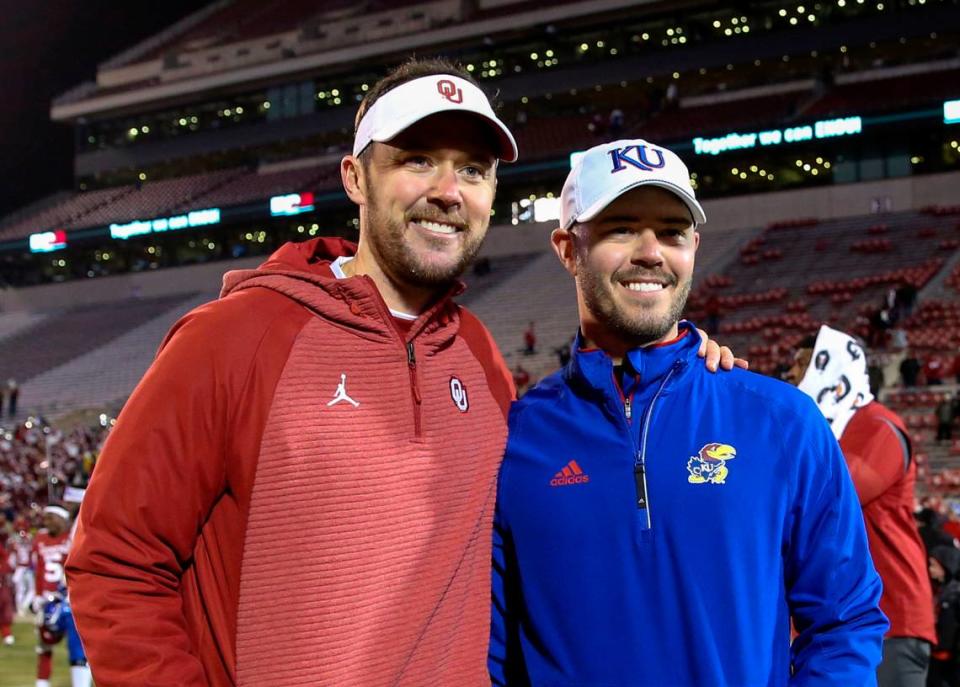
{"type": "Point", "coordinates": [944, 569]}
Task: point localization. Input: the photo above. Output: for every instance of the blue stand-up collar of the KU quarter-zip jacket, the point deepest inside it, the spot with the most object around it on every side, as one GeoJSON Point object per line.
{"type": "Point", "coordinates": [592, 368]}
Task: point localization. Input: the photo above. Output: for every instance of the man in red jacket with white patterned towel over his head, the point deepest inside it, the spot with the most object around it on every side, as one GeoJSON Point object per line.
{"type": "Point", "coordinates": [831, 368]}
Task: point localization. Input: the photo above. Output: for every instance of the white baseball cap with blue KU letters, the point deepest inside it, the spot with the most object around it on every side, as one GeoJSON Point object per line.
{"type": "Point", "coordinates": [607, 171]}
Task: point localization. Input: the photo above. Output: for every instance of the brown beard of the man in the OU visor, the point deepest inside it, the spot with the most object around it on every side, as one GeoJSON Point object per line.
{"type": "Point", "coordinates": [436, 264]}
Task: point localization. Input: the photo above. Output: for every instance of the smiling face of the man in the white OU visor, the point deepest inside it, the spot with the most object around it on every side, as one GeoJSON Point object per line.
{"type": "Point", "coordinates": [425, 199]}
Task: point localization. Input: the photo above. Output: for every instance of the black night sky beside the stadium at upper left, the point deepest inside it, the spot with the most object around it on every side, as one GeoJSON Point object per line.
{"type": "Point", "coordinates": [47, 47]}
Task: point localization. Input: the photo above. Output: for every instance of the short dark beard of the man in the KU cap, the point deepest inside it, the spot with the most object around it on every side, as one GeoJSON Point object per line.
{"type": "Point", "coordinates": [637, 325]}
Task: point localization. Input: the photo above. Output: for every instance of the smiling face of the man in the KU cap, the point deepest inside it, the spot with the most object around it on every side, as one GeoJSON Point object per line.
{"type": "Point", "coordinates": [633, 265]}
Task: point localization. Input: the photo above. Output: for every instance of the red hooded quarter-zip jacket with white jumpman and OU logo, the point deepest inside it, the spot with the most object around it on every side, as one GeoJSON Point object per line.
{"type": "Point", "coordinates": [296, 495]}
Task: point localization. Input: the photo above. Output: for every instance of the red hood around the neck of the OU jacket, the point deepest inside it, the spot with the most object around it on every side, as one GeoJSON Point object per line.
{"type": "Point", "coordinates": [301, 272]}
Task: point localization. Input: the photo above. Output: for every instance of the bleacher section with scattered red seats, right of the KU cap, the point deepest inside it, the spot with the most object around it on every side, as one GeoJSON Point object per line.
{"type": "Point", "coordinates": [794, 276]}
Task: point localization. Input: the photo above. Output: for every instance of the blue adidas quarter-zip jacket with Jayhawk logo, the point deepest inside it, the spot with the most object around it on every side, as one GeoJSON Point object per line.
{"type": "Point", "coordinates": [665, 535]}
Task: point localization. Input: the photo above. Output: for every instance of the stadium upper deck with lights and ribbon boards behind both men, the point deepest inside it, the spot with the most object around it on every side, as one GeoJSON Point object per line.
{"type": "Point", "coordinates": [241, 102]}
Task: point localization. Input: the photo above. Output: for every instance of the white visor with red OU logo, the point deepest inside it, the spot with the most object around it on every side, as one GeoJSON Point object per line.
{"type": "Point", "coordinates": [408, 103]}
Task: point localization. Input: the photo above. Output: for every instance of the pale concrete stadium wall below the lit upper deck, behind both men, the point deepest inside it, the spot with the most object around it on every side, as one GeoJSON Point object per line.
{"type": "Point", "coordinates": [846, 200]}
